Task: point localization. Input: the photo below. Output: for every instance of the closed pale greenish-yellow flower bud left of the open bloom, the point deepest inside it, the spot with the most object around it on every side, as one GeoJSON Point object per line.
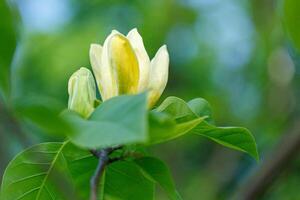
{"type": "Point", "coordinates": [82, 92]}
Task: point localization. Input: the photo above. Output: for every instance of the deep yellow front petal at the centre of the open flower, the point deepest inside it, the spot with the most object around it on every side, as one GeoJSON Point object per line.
{"type": "Point", "coordinates": [124, 64]}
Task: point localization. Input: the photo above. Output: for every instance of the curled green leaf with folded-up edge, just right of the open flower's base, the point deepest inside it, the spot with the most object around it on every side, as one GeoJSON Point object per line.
{"type": "Point", "coordinates": [172, 119]}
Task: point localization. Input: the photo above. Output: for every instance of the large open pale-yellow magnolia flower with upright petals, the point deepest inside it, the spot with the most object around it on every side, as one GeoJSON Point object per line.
{"type": "Point", "coordinates": [122, 66]}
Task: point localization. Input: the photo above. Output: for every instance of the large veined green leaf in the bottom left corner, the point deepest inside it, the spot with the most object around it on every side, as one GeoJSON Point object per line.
{"type": "Point", "coordinates": [40, 172]}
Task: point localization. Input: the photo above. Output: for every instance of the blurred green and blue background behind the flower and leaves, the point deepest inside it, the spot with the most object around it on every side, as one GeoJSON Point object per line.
{"type": "Point", "coordinates": [240, 55]}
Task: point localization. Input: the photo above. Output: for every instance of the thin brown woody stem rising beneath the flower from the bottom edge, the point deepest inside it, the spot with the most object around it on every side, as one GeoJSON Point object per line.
{"type": "Point", "coordinates": [95, 180]}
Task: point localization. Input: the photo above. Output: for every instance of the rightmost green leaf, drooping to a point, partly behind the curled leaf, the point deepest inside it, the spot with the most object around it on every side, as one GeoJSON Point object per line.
{"type": "Point", "coordinates": [237, 138]}
